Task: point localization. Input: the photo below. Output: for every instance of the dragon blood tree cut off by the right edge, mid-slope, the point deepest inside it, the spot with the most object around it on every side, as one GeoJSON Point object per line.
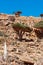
{"type": "Point", "coordinates": [39, 29]}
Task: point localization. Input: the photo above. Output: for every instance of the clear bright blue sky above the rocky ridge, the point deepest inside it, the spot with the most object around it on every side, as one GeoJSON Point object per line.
{"type": "Point", "coordinates": [28, 7]}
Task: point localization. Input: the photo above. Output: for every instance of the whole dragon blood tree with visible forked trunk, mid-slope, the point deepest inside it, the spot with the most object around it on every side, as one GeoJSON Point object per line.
{"type": "Point", "coordinates": [21, 29]}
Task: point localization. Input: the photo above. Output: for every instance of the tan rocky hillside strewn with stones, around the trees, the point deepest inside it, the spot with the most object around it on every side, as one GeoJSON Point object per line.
{"type": "Point", "coordinates": [28, 50]}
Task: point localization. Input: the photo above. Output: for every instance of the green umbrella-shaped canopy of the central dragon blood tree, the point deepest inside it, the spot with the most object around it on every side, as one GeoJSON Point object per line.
{"type": "Point", "coordinates": [23, 27]}
